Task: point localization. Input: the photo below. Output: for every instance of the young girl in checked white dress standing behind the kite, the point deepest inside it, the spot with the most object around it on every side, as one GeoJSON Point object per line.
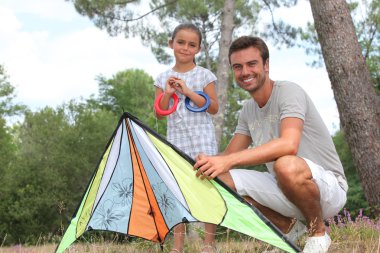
{"type": "Point", "coordinates": [192, 132]}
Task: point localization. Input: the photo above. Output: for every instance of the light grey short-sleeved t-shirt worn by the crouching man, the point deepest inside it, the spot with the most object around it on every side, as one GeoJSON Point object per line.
{"type": "Point", "coordinates": [290, 100]}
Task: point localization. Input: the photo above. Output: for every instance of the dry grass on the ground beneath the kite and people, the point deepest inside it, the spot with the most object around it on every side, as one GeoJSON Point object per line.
{"type": "Point", "coordinates": [359, 235]}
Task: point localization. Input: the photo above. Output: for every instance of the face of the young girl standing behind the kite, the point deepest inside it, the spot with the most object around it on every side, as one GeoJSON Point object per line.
{"type": "Point", "coordinates": [185, 45]}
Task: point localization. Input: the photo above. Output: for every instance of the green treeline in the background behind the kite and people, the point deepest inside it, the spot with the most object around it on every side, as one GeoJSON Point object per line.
{"type": "Point", "coordinates": [48, 157]}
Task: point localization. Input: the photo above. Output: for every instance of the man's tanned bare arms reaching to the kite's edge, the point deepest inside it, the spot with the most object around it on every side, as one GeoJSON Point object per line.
{"type": "Point", "coordinates": [286, 144]}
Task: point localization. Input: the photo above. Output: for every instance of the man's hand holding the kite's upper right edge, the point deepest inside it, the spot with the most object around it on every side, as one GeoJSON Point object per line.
{"type": "Point", "coordinates": [210, 166]}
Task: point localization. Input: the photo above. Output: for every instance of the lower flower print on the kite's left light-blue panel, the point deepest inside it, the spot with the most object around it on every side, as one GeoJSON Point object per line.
{"type": "Point", "coordinates": [107, 216]}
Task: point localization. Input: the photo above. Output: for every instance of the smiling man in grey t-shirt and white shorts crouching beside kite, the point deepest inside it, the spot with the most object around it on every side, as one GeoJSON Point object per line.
{"type": "Point", "coordinates": [280, 127]}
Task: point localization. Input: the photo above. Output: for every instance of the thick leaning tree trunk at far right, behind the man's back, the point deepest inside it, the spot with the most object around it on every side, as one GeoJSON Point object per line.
{"type": "Point", "coordinates": [358, 104]}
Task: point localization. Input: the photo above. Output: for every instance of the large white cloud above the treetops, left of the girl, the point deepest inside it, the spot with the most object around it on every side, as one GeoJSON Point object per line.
{"type": "Point", "coordinates": [49, 69]}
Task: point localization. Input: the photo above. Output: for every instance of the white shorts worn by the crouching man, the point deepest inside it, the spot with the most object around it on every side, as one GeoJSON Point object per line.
{"type": "Point", "coordinates": [263, 188]}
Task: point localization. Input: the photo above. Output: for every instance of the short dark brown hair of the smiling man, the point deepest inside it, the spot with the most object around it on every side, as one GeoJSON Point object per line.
{"type": "Point", "coordinates": [245, 42]}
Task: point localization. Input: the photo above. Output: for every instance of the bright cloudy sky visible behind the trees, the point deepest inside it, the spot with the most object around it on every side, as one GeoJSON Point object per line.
{"type": "Point", "coordinates": [52, 54]}
